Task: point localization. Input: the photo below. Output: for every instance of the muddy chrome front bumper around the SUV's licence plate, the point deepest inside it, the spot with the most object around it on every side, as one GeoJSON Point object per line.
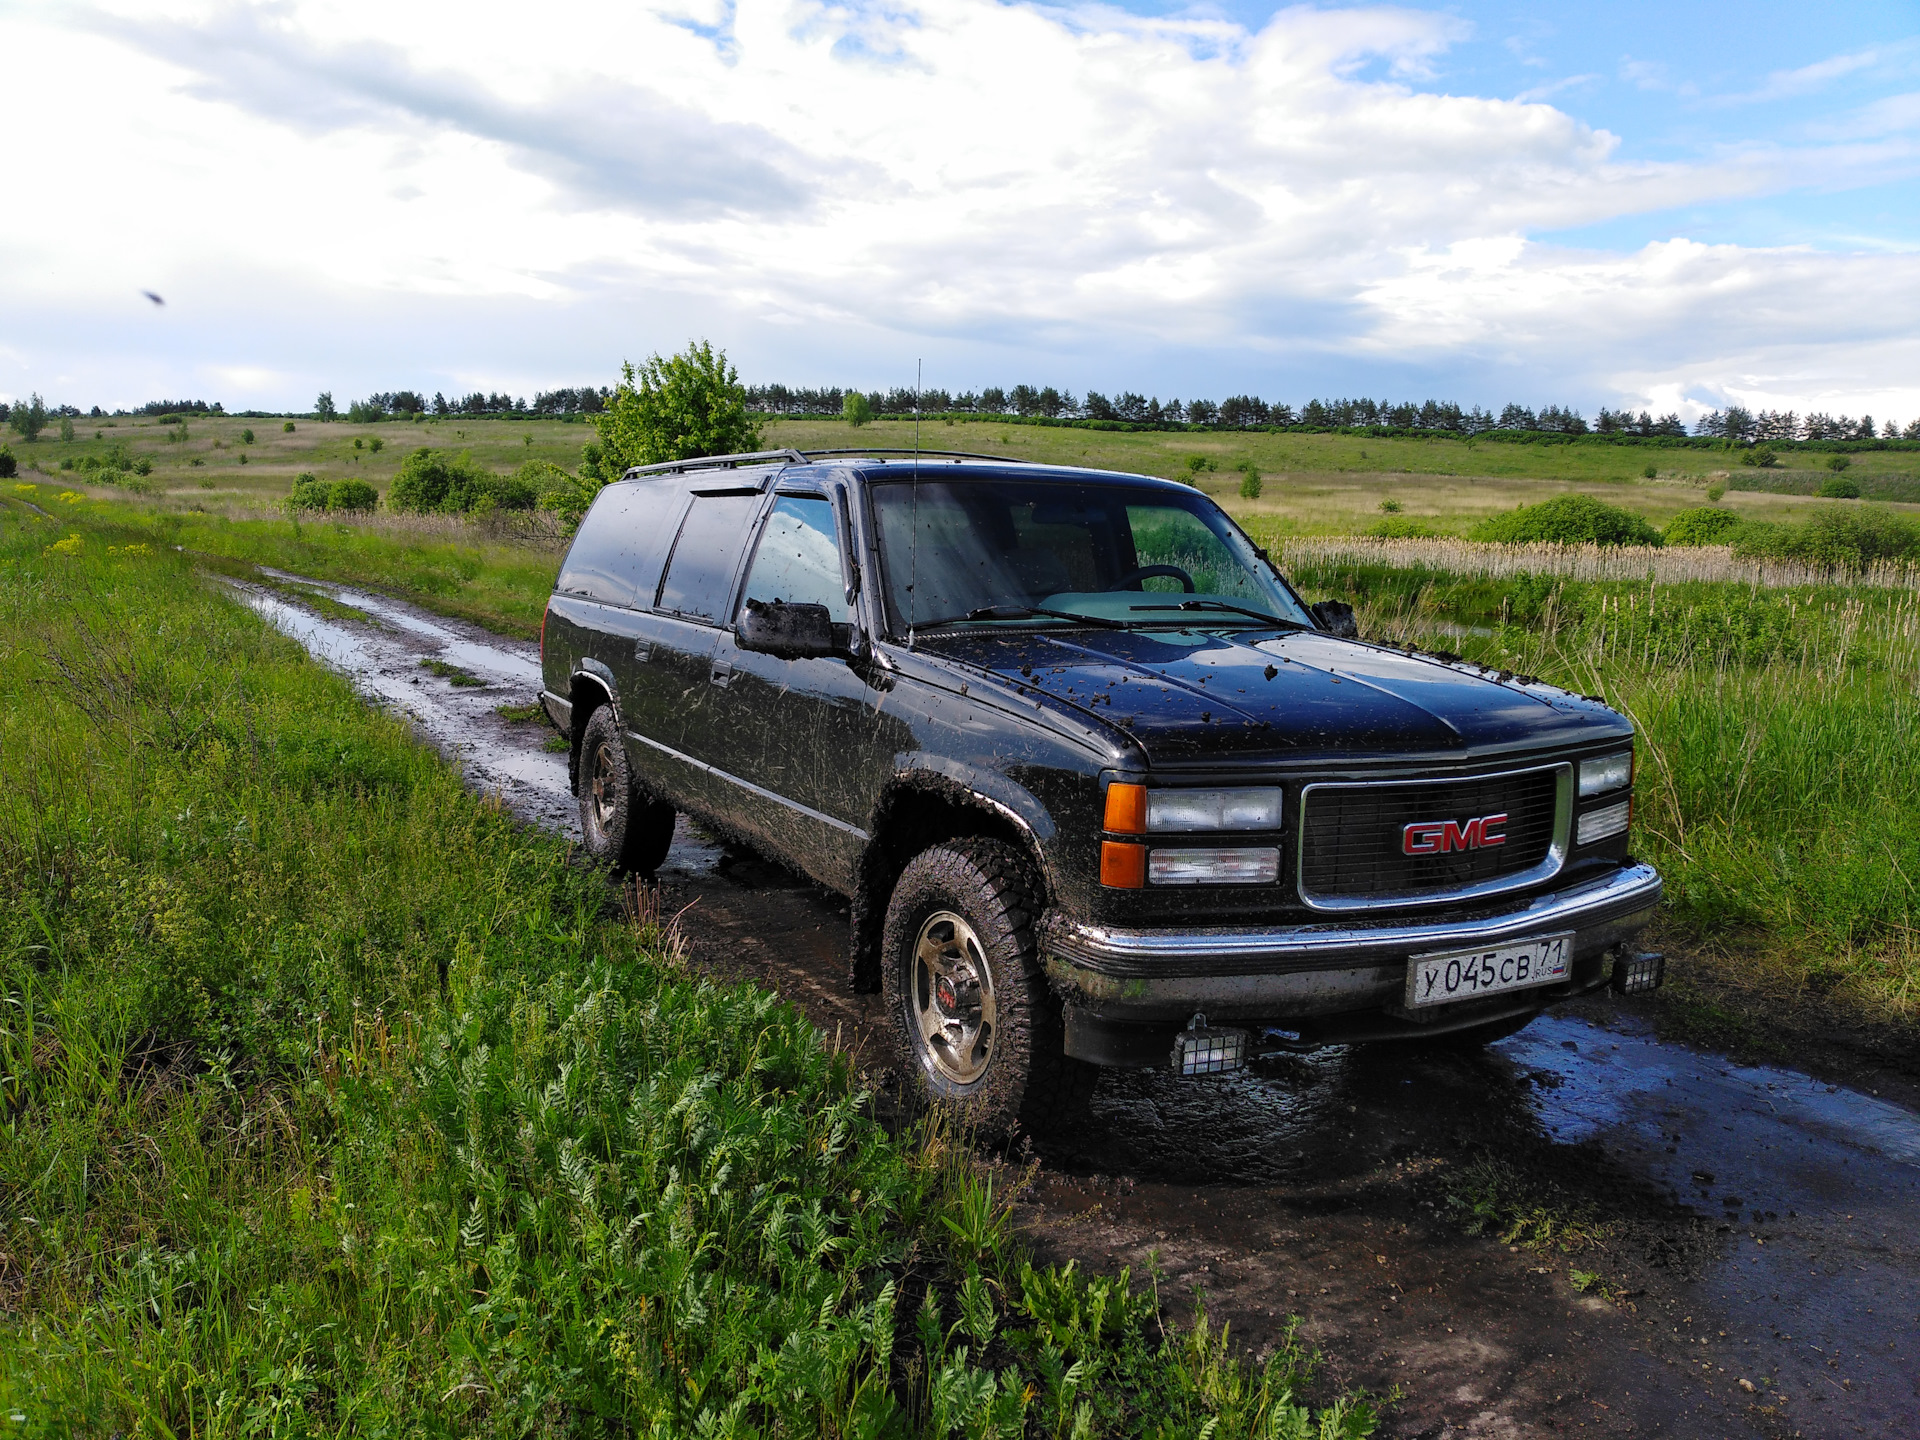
{"type": "Point", "coordinates": [1316, 969]}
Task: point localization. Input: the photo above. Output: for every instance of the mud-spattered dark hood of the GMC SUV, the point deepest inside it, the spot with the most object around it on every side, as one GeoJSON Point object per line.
{"type": "Point", "coordinates": [1191, 696]}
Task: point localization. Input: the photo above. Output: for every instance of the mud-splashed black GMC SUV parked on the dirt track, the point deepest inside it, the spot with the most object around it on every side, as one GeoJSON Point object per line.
{"type": "Point", "coordinates": [1099, 784]}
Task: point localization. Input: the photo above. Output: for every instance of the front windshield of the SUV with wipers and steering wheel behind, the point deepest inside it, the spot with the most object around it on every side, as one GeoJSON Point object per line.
{"type": "Point", "coordinates": [1009, 548]}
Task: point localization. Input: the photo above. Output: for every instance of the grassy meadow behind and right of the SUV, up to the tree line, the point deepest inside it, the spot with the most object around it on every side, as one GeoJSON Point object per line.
{"type": "Point", "coordinates": [1756, 683]}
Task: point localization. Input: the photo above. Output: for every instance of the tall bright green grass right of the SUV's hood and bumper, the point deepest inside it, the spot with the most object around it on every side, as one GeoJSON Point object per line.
{"type": "Point", "coordinates": [1779, 784]}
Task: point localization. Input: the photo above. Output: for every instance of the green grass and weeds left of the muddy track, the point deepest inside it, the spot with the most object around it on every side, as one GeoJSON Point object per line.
{"type": "Point", "coordinates": [333, 1101]}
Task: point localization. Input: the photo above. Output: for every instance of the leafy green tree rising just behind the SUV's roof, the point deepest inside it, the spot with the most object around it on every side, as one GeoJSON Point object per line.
{"type": "Point", "coordinates": [677, 410]}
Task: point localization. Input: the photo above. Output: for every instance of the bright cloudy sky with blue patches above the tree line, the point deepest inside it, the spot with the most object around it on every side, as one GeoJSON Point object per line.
{"type": "Point", "coordinates": [1666, 208]}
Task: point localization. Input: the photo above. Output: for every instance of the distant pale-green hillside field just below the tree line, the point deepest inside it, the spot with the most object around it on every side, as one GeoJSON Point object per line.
{"type": "Point", "coordinates": [1312, 483]}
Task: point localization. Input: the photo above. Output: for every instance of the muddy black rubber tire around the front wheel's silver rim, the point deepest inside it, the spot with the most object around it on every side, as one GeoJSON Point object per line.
{"type": "Point", "coordinates": [1028, 1078]}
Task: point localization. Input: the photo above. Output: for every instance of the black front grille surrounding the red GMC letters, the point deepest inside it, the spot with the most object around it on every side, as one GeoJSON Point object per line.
{"type": "Point", "coordinates": [1351, 836]}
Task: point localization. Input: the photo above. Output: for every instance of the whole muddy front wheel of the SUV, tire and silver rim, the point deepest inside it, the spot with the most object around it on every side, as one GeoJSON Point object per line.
{"type": "Point", "coordinates": [972, 1020]}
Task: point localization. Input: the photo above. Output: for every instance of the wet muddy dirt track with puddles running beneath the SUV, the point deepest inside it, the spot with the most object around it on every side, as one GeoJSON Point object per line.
{"type": "Point", "coordinates": [1704, 1249]}
